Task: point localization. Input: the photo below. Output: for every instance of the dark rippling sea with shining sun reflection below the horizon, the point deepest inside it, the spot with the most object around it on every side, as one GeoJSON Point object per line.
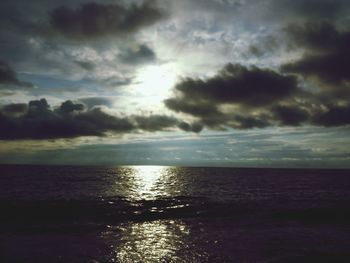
{"type": "Point", "coordinates": [172, 214]}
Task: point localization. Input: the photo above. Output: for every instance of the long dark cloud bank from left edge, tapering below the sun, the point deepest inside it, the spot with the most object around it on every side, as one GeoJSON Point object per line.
{"type": "Point", "coordinates": [37, 120]}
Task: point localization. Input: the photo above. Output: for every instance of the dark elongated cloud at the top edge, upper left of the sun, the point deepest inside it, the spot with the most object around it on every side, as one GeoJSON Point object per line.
{"type": "Point", "coordinates": [92, 20]}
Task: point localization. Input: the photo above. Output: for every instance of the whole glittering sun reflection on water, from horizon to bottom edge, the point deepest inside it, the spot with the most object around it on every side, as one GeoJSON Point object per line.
{"type": "Point", "coordinates": [153, 189]}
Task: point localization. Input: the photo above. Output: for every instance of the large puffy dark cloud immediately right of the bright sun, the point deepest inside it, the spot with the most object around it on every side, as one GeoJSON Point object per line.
{"type": "Point", "coordinates": [250, 92]}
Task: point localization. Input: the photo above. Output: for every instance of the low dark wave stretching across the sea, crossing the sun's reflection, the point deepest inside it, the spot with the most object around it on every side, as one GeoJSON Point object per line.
{"type": "Point", "coordinates": [83, 215]}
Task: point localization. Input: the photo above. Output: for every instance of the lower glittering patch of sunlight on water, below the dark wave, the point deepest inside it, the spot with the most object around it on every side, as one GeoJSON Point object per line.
{"type": "Point", "coordinates": [155, 241]}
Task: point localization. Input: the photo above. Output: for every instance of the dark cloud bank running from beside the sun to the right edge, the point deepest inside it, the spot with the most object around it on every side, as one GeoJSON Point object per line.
{"type": "Point", "coordinates": [246, 98]}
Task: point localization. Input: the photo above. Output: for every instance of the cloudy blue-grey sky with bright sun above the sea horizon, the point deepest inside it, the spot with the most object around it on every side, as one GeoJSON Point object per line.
{"type": "Point", "coordinates": [243, 83]}
